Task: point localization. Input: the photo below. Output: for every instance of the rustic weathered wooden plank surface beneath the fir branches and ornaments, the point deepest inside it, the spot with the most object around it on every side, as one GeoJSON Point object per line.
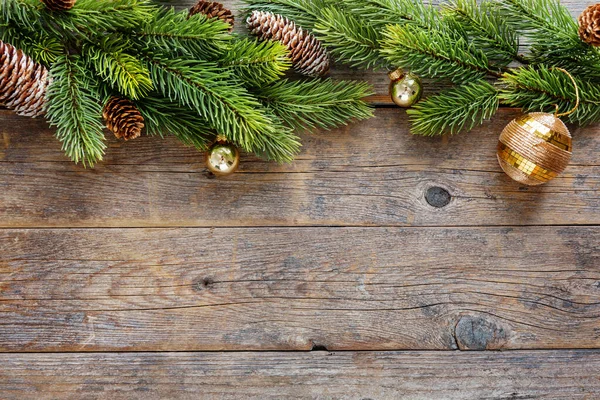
{"type": "Point", "coordinates": [365, 270]}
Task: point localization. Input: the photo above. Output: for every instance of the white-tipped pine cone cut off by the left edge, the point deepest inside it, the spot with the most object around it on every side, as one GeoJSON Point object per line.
{"type": "Point", "coordinates": [23, 82]}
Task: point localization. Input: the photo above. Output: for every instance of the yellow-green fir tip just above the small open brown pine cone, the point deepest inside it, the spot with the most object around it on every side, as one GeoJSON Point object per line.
{"type": "Point", "coordinates": [122, 71]}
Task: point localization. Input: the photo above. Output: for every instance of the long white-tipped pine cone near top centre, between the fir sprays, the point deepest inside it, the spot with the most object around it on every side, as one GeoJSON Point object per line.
{"type": "Point", "coordinates": [307, 54]}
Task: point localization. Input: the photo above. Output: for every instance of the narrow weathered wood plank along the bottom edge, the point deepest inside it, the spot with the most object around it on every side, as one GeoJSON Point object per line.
{"type": "Point", "coordinates": [317, 375]}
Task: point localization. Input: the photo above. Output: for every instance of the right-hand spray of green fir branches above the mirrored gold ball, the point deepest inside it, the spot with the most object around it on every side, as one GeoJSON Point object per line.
{"type": "Point", "coordinates": [472, 44]}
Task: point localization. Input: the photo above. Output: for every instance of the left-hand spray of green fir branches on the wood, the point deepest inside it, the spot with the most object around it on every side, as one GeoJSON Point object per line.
{"type": "Point", "coordinates": [188, 75]}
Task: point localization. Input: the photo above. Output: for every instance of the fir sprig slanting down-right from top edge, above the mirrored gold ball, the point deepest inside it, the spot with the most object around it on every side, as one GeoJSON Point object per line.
{"type": "Point", "coordinates": [488, 30]}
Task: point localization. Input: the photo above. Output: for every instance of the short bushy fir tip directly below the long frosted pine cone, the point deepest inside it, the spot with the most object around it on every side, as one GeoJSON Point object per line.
{"type": "Point", "coordinates": [256, 62]}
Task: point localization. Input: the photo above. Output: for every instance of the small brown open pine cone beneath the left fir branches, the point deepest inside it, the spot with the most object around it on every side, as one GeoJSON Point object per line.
{"type": "Point", "coordinates": [123, 118]}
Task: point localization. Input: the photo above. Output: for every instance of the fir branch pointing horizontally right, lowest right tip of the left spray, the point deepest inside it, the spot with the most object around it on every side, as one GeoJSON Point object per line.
{"type": "Point", "coordinates": [317, 104]}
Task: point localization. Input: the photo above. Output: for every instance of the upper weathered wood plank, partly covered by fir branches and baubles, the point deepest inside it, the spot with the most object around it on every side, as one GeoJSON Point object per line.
{"type": "Point", "coordinates": [372, 173]}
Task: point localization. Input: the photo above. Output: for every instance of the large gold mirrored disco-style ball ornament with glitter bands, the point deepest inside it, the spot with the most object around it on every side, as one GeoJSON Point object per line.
{"type": "Point", "coordinates": [535, 148]}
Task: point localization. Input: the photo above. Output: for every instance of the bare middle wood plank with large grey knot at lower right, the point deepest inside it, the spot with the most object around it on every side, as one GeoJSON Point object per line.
{"type": "Point", "coordinates": [297, 288]}
